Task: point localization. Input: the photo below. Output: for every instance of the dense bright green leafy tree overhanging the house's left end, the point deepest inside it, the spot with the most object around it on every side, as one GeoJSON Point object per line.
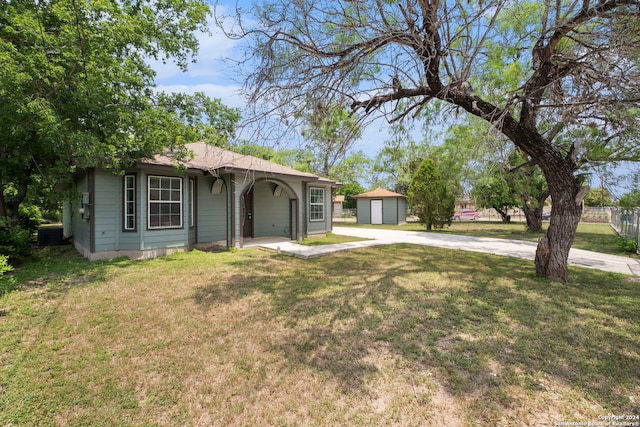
{"type": "Point", "coordinates": [76, 88]}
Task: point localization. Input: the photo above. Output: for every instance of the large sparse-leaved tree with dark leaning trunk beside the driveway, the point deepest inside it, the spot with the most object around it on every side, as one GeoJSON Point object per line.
{"type": "Point", "coordinates": [560, 80]}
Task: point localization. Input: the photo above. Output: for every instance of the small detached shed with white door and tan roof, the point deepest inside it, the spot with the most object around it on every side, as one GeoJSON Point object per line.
{"type": "Point", "coordinates": [381, 206]}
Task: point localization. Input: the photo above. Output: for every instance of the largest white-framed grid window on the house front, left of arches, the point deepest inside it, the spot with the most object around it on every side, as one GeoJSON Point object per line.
{"type": "Point", "coordinates": [165, 202]}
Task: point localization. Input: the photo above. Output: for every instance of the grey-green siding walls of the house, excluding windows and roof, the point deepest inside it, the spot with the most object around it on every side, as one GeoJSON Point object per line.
{"type": "Point", "coordinates": [213, 220]}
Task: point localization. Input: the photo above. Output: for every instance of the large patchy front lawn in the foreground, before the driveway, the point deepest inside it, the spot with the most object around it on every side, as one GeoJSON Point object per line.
{"type": "Point", "coordinates": [395, 335]}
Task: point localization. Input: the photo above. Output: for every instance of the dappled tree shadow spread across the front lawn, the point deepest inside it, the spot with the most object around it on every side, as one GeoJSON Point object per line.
{"type": "Point", "coordinates": [484, 324]}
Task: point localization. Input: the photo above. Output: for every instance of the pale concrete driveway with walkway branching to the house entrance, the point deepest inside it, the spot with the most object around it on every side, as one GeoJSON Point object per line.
{"type": "Point", "coordinates": [514, 248]}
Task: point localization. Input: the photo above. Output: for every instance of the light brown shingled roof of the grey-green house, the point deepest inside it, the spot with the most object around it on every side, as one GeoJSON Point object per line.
{"type": "Point", "coordinates": [209, 158]}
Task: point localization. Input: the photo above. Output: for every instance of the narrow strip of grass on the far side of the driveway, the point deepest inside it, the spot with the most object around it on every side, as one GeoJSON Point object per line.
{"type": "Point", "coordinates": [598, 237]}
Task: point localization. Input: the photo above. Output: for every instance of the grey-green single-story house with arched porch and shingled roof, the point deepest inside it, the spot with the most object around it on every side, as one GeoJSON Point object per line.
{"type": "Point", "coordinates": [217, 198]}
